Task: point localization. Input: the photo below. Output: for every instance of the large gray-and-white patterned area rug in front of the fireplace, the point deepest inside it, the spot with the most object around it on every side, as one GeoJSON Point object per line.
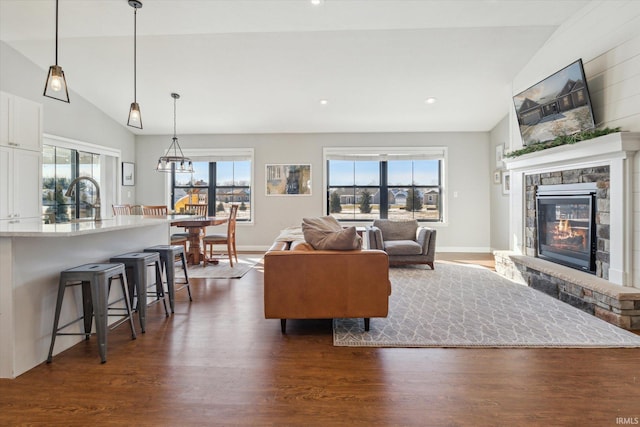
{"type": "Point", "coordinates": [471, 306]}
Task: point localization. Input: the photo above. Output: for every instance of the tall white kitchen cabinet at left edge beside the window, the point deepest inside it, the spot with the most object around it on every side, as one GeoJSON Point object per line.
{"type": "Point", "coordinates": [20, 183]}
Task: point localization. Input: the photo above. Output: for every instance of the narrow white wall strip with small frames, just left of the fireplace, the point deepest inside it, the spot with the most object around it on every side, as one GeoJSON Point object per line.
{"type": "Point", "coordinates": [499, 135]}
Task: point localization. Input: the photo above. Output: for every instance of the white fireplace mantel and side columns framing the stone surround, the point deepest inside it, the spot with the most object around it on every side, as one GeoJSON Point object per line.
{"type": "Point", "coordinates": [618, 152]}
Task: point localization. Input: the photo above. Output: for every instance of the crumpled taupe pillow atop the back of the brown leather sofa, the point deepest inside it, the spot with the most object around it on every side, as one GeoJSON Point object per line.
{"type": "Point", "coordinates": [325, 233]}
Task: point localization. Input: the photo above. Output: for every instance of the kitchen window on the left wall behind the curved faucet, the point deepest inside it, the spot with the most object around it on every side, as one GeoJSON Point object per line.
{"type": "Point", "coordinates": [60, 166]}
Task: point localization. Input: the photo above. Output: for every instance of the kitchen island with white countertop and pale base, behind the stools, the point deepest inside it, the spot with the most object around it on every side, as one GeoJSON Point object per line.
{"type": "Point", "coordinates": [33, 254]}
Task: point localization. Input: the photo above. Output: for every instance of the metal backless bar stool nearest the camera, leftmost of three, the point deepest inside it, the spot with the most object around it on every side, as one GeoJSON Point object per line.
{"type": "Point", "coordinates": [95, 280]}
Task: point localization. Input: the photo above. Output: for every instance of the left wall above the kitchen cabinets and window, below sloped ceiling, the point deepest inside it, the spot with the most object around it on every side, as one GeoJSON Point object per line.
{"type": "Point", "coordinates": [78, 120]}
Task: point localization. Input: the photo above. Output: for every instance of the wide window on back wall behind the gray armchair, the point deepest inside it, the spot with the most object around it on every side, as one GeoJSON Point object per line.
{"type": "Point", "coordinates": [400, 184]}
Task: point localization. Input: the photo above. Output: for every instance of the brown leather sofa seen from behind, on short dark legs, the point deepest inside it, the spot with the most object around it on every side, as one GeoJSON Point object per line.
{"type": "Point", "coordinates": [303, 283]}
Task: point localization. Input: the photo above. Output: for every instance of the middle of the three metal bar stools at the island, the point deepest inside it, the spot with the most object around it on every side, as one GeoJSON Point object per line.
{"type": "Point", "coordinates": [136, 264]}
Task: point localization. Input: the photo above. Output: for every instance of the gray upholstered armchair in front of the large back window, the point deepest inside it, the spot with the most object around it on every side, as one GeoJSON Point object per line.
{"type": "Point", "coordinates": [404, 241]}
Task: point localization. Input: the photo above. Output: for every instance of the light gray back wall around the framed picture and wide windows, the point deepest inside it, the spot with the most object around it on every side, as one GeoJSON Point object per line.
{"type": "Point", "coordinates": [468, 175]}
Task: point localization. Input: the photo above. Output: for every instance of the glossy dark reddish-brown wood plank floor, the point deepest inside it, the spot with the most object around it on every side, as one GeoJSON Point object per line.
{"type": "Point", "coordinates": [217, 361]}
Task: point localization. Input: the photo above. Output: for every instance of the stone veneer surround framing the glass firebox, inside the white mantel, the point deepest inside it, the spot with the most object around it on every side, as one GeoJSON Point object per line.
{"type": "Point", "coordinates": [599, 175]}
